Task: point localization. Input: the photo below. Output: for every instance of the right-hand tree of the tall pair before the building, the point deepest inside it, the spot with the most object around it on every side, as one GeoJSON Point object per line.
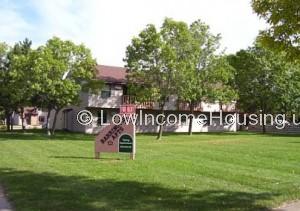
{"type": "Point", "coordinates": [206, 75]}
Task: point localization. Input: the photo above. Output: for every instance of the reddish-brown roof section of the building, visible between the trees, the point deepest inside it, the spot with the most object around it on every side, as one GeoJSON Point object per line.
{"type": "Point", "coordinates": [111, 74]}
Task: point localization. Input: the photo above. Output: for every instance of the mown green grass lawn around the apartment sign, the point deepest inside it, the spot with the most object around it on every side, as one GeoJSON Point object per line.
{"type": "Point", "coordinates": [241, 171]}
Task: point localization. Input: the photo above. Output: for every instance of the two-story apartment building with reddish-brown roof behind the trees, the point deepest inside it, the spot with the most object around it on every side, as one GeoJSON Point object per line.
{"type": "Point", "coordinates": [107, 103]}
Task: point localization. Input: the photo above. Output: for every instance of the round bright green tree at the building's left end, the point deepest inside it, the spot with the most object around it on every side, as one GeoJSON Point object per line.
{"type": "Point", "coordinates": [64, 69]}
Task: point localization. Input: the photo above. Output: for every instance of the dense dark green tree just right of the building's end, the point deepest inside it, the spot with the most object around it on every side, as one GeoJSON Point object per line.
{"type": "Point", "coordinates": [258, 76]}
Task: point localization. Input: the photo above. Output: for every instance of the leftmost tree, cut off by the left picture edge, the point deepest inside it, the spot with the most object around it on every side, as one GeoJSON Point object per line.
{"type": "Point", "coordinates": [16, 79]}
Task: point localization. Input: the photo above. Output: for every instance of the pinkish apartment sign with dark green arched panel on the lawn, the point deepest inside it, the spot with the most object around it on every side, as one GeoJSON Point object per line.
{"type": "Point", "coordinates": [117, 138]}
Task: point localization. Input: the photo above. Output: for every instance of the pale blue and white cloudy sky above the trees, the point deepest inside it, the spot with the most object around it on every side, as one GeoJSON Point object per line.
{"type": "Point", "coordinates": [107, 26]}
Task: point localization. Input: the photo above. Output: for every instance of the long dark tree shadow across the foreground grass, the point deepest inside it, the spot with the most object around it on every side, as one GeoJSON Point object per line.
{"type": "Point", "coordinates": [47, 191]}
